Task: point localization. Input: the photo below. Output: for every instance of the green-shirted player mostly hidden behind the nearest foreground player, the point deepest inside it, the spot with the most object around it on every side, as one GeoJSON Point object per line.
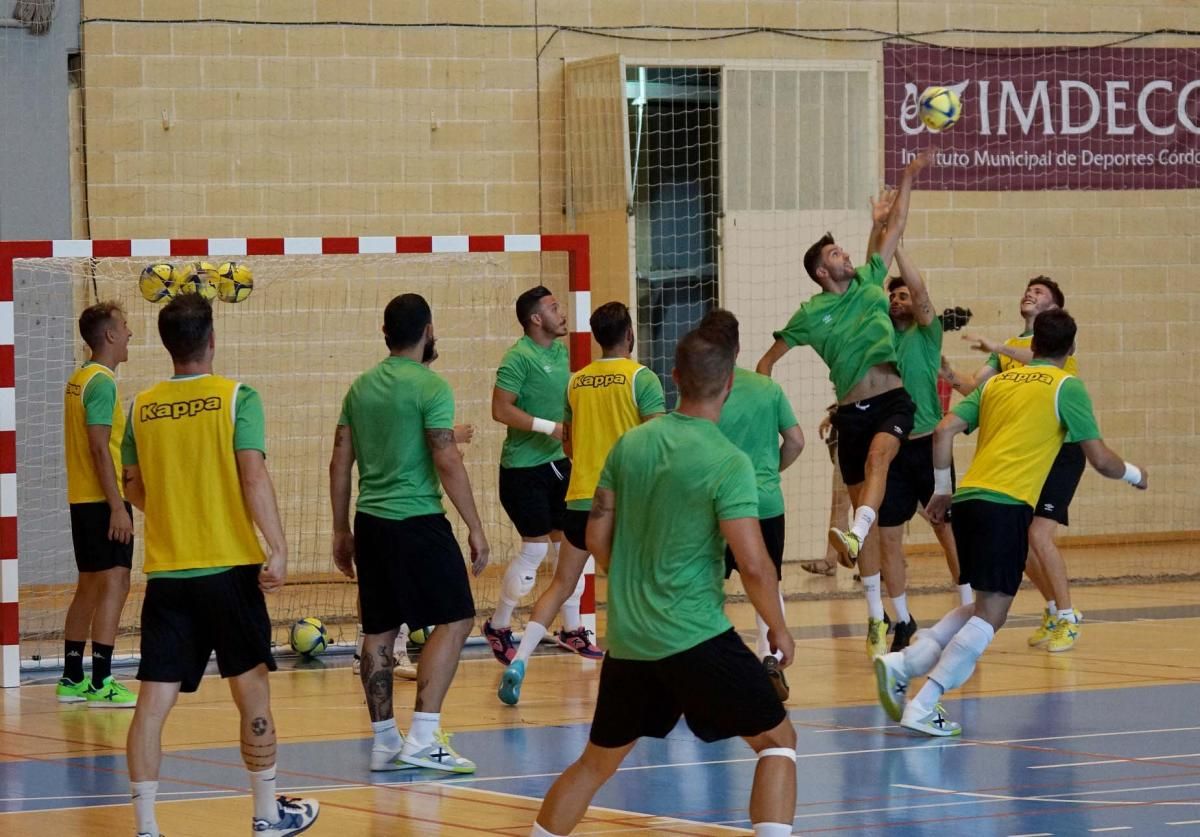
{"type": "Point", "coordinates": [755, 418]}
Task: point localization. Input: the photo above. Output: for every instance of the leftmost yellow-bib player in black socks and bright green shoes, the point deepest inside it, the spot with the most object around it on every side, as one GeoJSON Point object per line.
{"type": "Point", "coordinates": [101, 523]}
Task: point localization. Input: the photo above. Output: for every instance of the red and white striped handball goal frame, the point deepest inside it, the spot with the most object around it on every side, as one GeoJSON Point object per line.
{"type": "Point", "coordinates": [580, 342]}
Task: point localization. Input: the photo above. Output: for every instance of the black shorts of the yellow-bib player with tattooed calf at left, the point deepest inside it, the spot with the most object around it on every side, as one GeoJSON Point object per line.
{"type": "Point", "coordinates": [184, 621]}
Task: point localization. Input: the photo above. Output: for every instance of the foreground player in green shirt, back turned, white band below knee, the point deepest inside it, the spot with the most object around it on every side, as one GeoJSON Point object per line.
{"type": "Point", "coordinates": [673, 492]}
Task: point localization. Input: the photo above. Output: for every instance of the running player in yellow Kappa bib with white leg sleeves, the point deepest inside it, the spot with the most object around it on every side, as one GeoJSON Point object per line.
{"type": "Point", "coordinates": [1024, 417]}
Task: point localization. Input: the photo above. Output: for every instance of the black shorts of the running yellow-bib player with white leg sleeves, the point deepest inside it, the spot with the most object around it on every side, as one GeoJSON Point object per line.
{"type": "Point", "coordinates": [993, 540]}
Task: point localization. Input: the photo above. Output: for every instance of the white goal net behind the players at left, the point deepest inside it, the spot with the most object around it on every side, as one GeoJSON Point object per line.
{"type": "Point", "coordinates": [311, 326]}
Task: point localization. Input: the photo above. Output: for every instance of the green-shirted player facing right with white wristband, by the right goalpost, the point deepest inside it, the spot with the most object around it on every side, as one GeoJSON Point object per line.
{"type": "Point", "coordinates": [529, 399]}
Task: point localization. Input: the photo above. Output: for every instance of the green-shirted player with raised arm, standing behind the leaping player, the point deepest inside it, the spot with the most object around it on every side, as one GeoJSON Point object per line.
{"type": "Point", "coordinates": [911, 474]}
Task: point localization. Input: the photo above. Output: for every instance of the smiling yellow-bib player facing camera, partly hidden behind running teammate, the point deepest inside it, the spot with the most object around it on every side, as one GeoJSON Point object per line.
{"type": "Point", "coordinates": [1047, 569]}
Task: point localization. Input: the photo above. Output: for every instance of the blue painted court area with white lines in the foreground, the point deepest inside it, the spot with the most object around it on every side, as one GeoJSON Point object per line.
{"type": "Point", "coordinates": [1073, 763]}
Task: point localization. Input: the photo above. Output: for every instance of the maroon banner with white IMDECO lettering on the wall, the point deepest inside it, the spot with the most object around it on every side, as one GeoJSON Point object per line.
{"type": "Point", "coordinates": [1065, 118]}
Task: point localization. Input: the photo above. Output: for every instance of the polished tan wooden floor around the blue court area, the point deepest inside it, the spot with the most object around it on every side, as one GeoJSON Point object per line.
{"type": "Point", "coordinates": [1135, 637]}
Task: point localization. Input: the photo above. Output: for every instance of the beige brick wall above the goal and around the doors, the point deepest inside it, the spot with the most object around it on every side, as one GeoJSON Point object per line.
{"type": "Point", "coordinates": [341, 130]}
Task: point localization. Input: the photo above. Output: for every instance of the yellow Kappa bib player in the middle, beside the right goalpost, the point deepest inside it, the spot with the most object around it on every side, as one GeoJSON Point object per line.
{"type": "Point", "coordinates": [604, 400]}
